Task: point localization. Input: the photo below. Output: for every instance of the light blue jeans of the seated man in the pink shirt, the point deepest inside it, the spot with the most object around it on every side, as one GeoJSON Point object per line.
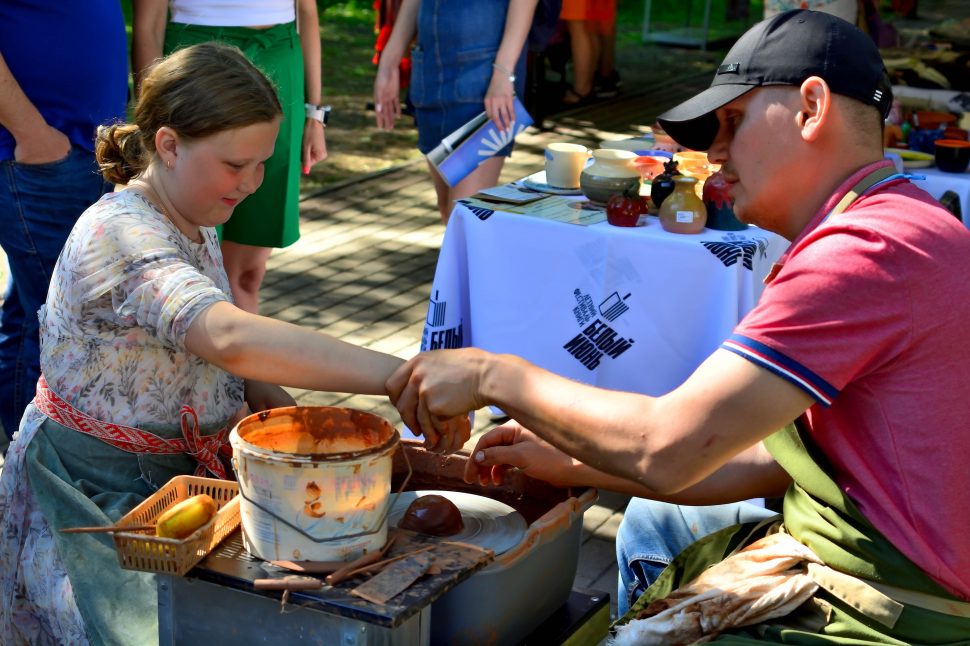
{"type": "Point", "coordinates": [653, 533]}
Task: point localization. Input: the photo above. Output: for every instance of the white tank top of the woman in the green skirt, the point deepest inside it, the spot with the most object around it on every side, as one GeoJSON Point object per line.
{"type": "Point", "coordinates": [233, 13]}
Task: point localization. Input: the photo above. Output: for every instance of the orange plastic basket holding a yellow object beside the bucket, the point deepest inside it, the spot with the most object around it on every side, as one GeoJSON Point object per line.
{"type": "Point", "coordinates": [149, 553]}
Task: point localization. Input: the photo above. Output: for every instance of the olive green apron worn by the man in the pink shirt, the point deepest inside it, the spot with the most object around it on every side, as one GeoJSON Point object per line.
{"type": "Point", "coordinates": [885, 604]}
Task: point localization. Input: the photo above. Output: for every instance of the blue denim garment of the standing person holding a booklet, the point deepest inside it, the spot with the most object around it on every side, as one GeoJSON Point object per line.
{"type": "Point", "coordinates": [452, 65]}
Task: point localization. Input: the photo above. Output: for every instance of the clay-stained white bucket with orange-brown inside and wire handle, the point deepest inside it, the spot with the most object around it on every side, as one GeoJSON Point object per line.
{"type": "Point", "coordinates": [314, 482]}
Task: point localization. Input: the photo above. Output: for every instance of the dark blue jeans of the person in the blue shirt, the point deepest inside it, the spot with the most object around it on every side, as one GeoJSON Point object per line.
{"type": "Point", "coordinates": [39, 204]}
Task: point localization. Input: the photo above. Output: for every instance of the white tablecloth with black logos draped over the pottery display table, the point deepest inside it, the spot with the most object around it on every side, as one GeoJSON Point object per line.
{"type": "Point", "coordinates": [634, 309]}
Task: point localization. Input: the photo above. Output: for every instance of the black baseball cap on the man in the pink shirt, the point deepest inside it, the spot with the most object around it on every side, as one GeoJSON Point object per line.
{"type": "Point", "coordinates": [785, 50]}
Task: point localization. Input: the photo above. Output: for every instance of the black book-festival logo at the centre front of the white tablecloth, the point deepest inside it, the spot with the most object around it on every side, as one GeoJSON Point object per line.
{"type": "Point", "coordinates": [598, 340]}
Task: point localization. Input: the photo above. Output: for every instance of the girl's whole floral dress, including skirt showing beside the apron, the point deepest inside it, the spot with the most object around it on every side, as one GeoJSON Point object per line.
{"type": "Point", "coordinates": [125, 290]}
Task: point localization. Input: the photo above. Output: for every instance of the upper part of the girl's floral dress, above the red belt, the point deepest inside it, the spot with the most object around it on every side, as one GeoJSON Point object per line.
{"type": "Point", "coordinates": [126, 288]}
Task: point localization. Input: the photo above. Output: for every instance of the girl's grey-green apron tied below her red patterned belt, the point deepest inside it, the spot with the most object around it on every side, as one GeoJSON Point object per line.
{"type": "Point", "coordinates": [78, 480]}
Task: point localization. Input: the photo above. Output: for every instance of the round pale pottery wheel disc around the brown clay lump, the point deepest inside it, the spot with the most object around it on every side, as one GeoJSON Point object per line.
{"type": "Point", "coordinates": [488, 523]}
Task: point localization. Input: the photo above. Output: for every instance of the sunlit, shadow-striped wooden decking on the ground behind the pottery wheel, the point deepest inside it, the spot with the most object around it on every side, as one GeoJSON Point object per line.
{"type": "Point", "coordinates": [363, 268]}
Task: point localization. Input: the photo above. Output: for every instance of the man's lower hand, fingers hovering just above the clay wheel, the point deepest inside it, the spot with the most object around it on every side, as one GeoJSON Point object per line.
{"type": "Point", "coordinates": [514, 446]}
